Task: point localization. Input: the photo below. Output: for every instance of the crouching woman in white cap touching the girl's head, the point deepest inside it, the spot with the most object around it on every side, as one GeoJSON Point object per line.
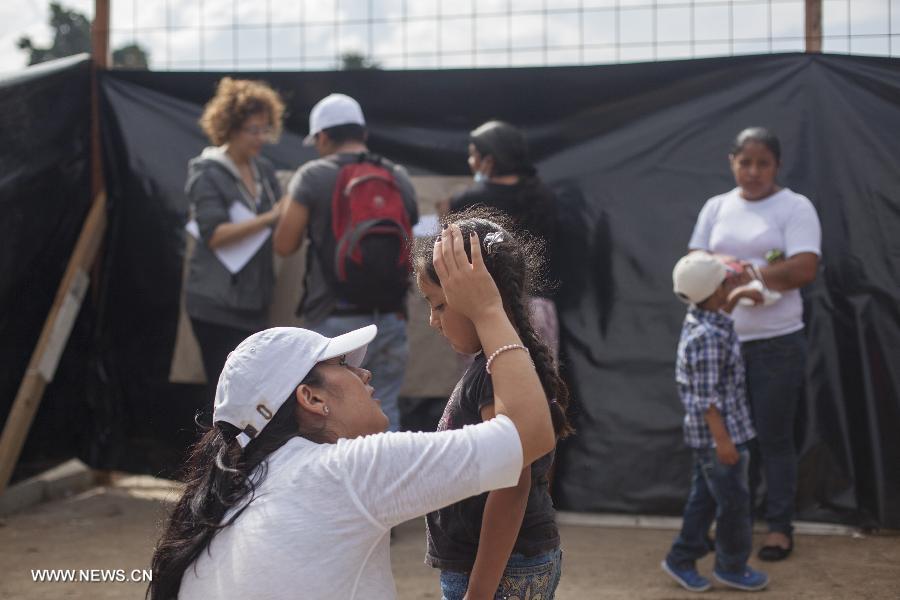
{"type": "Point", "coordinates": [293, 492]}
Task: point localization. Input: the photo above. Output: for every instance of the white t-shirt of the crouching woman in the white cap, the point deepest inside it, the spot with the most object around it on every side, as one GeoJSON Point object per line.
{"type": "Point", "coordinates": [319, 527]}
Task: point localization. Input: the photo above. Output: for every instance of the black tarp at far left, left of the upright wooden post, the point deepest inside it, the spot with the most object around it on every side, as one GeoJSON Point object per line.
{"type": "Point", "coordinates": [44, 198]}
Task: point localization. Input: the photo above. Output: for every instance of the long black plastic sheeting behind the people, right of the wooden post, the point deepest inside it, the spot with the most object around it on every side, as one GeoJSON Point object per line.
{"type": "Point", "coordinates": [633, 152]}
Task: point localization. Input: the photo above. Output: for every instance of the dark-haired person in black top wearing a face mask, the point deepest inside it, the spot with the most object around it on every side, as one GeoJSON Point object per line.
{"type": "Point", "coordinates": [505, 180]}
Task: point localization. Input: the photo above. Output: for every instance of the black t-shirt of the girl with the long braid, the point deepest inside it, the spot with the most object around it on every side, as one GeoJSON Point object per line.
{"type": "Point", "coordinates": [453, 531]}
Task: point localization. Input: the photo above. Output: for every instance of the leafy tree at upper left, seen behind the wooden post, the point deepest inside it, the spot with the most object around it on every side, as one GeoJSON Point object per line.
{"type": "Point", "coordinates": [72, 35]}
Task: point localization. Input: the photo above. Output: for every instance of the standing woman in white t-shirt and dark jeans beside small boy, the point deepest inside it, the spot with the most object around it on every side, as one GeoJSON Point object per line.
{"type": "Point", "coordinates": [775, 233]}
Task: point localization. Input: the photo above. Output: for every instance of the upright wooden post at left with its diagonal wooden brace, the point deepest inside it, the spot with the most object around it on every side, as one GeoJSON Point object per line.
{"type": "Point", "coordinates": [75, 281]}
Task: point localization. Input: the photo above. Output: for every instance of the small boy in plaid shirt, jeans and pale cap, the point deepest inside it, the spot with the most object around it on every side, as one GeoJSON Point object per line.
{"type": "Point", "coordinates": [717, 427]}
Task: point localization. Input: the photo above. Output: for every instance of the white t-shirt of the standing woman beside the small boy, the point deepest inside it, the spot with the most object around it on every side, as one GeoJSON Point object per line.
{"type": "Point", "coordinates": [747, 230]}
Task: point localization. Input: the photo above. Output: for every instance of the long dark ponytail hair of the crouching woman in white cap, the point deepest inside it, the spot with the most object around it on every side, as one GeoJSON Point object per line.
{"type": "Point", "coordinates": [219, 475]}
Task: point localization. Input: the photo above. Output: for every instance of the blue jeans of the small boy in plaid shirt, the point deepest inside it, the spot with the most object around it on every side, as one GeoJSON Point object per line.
{"type": "Point", "coordinates": [721, 493]}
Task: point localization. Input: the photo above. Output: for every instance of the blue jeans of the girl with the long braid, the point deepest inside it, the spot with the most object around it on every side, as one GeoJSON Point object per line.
{"type": "Point", "coordinates": [524, 577]}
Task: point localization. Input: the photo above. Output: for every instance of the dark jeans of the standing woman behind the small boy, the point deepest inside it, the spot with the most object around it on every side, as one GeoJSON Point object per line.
{"type": "Point", "coordinates": [775, 373]}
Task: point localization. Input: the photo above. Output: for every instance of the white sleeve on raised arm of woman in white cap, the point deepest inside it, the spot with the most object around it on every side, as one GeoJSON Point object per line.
{"type": "Point", "coordinates": [401, 475]}
